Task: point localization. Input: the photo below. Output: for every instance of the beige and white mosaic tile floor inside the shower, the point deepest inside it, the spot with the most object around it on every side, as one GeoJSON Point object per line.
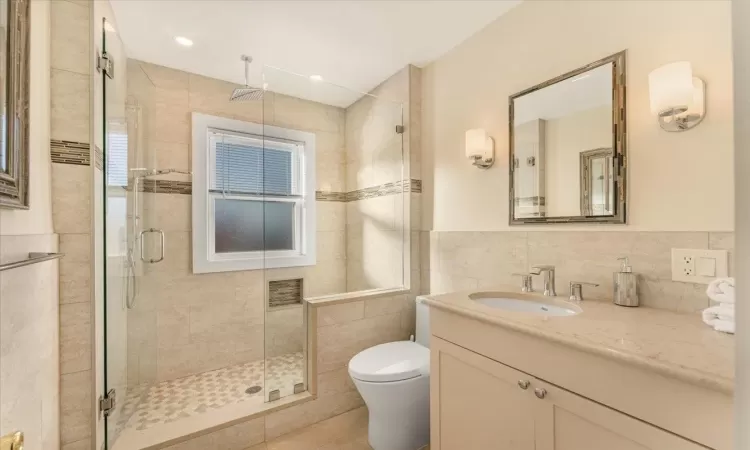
{"type": "Point", "coordinates": [195, 394]}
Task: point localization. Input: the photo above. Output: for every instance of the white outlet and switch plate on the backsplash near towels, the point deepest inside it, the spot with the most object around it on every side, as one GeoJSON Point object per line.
{"type": "Point", "coordinates": [696, 265]}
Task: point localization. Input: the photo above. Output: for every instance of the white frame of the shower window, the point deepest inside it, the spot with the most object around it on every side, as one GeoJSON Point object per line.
{"type": "Point", "coordinates": [205, 259]}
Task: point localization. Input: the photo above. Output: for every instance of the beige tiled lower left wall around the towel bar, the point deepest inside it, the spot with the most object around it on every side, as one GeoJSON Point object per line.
{"type": "Point", "coordinates": [29, 340]}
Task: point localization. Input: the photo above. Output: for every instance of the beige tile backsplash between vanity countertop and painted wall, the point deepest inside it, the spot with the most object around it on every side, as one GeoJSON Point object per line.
{"type": "Point", "coordinates": [484, 260]}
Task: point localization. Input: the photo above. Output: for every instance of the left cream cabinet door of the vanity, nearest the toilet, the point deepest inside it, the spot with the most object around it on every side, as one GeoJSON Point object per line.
{"type": "Point", "coordinates": [476, 403]}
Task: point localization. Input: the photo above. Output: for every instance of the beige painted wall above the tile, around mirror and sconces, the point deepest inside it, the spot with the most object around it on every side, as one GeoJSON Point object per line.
{"type": "Point", "coordinates": [538, 40]}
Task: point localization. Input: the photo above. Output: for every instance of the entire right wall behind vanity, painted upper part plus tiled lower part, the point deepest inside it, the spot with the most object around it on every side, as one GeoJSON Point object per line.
{"type": "Point", "coordinates": [680, 184]}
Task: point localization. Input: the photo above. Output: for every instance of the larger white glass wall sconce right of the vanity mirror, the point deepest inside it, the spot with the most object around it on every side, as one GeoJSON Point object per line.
{"type": "Point", "coordinates": [677, 97]}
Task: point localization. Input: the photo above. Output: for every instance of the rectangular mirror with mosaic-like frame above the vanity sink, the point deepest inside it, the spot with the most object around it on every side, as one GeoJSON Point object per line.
{"type": "Point", "coordinates": [567, 147]}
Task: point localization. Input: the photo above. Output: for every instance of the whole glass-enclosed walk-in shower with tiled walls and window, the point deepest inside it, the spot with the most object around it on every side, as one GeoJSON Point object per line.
{"type": "Point", "coordinates": [296, 192]}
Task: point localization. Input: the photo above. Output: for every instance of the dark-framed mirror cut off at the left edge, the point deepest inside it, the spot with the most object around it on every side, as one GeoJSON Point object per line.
{"type": "Point", "coordinates": [14, 99]}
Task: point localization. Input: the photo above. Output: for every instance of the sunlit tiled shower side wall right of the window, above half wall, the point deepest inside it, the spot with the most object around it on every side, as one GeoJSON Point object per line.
{"type": "Point", "coordinates": [377, 211]}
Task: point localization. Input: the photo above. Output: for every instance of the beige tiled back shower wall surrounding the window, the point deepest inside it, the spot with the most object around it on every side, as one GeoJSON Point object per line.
{"type": "Point", "coordinates": [185, 323]}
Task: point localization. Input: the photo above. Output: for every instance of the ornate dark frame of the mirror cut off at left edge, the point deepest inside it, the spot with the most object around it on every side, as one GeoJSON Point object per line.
{"type": "Point", "coordinates": [14, 184]}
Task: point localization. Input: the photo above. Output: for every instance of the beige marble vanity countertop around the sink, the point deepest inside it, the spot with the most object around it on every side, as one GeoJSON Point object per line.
{"type": "Point", "coordinates": [674, 344]}
